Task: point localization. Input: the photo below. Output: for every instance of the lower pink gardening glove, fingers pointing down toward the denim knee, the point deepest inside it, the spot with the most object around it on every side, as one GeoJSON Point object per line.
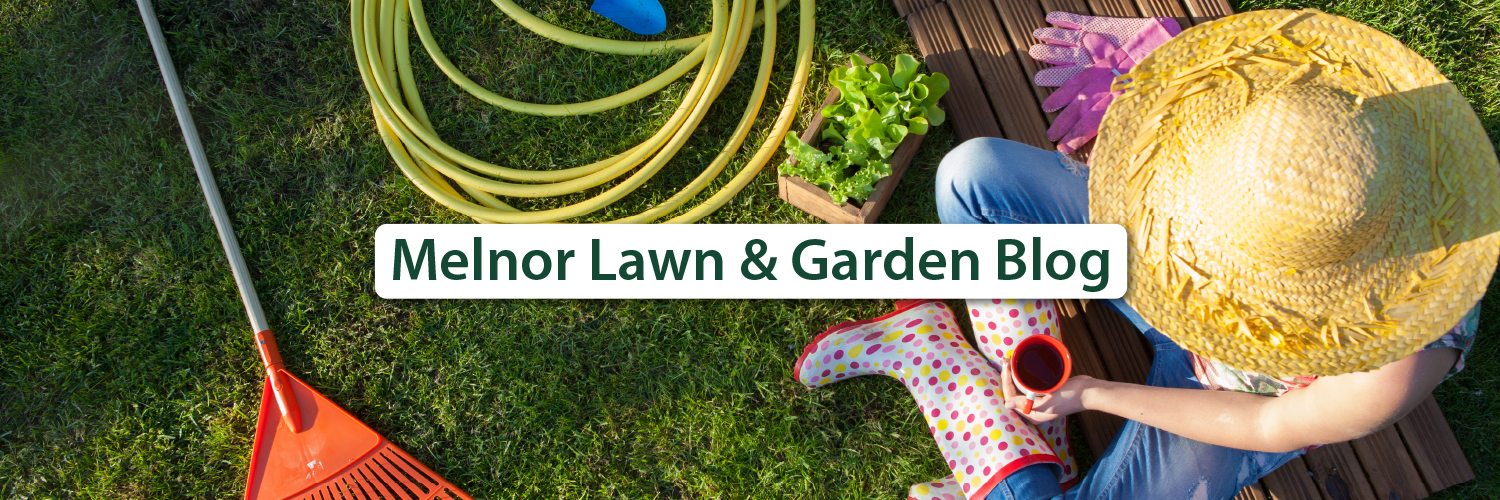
{"type": "Point", "coordinates": [1087, 95]}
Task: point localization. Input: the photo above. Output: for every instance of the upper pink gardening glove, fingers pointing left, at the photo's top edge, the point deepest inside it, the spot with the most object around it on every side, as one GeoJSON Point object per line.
{"type": "Point", "coordinates": [1064, 46]}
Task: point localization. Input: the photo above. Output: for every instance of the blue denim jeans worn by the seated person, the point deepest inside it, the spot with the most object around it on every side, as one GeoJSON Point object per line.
{"type": "Point", "coordinates": [991, 181]}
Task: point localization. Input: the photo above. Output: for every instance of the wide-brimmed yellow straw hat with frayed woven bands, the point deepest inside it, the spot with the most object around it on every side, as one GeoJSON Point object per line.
{"type": "Point", "coordinates": [1304, 194]}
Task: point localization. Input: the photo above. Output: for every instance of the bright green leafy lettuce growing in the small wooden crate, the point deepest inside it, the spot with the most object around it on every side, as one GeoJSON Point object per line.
{"type": "Point", "coordinates": [877, 110]}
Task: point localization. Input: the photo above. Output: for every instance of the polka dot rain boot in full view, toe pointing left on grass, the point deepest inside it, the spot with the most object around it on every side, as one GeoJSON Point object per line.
{"type": "Point", "coordinates": [956, 388]}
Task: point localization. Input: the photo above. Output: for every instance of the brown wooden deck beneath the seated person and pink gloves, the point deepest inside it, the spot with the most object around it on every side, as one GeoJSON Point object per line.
{"type": "Point", "coordinates": [983, 49]}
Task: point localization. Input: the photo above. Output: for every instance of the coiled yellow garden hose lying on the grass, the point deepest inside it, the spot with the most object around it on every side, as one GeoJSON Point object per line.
{"type": "Point", "coordinates": [380, 34]}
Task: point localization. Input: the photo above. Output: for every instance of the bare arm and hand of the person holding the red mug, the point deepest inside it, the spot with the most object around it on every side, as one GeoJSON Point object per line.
{"type": "Point", "coordinates": [1328, 411]}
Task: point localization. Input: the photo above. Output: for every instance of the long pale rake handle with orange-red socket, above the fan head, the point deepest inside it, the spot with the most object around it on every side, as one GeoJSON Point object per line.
{"type": "Point", "coordinates": [265, 342]}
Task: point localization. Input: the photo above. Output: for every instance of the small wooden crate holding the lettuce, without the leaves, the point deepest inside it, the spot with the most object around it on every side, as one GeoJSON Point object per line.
{"type": "Point", "coordinates": [815, 200]}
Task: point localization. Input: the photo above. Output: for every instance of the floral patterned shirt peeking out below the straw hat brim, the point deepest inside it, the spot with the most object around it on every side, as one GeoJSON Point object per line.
{"type": "Point", "coordinates": [1216, 376]}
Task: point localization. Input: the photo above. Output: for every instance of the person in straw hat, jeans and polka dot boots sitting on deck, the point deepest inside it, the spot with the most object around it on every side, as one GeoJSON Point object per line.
{"type": "Point", "coordinates": [1313, 217]}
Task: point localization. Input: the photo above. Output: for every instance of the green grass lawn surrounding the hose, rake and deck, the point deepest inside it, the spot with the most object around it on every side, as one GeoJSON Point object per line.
{"type": "Point", "coordinates": [127, 369]}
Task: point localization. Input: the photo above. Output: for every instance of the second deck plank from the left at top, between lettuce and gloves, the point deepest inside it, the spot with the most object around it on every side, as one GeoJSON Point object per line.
{"type": "Point", "coordinates": [995, 59]}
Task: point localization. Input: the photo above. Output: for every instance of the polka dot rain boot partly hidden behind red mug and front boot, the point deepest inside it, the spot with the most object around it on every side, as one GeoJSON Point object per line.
{"type": "Point", "coordinates": [1003, 324]}
